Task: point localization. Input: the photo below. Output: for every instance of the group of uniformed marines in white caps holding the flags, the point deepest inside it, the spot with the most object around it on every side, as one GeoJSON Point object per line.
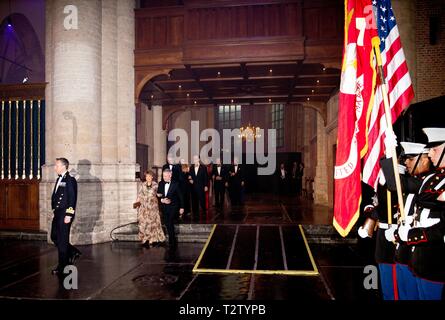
{"type": "Point", "coordinates": [410, 251]}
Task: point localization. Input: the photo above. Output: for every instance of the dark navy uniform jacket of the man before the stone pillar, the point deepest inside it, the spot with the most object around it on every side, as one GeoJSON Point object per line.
{"type": "Point", "coordinates": [63, 201]}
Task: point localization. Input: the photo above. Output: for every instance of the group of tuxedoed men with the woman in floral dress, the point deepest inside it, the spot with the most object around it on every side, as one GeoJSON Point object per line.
{"type": "Point", "coordinates": [184, 190]}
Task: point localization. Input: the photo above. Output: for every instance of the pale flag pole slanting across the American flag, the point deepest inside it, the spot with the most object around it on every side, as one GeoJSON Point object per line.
{"type": "Point", "coordinates": [391, 130]}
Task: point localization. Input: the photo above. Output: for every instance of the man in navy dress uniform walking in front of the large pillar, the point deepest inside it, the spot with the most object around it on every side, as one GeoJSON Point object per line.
{"type": "Point", "coordinates": [63, 204]}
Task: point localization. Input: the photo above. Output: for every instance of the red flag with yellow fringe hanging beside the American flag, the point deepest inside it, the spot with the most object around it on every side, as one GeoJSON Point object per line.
{"type": "Point", "coordinates": [357, 87]}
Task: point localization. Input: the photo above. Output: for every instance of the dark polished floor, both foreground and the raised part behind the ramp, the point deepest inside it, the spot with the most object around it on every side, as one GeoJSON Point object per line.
{"type": "Point", "coordinates": [125, 270]}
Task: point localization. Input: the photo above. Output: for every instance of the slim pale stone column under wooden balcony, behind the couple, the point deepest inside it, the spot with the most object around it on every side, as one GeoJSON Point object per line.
{"type": "Point", "coordinates": [159, 139]}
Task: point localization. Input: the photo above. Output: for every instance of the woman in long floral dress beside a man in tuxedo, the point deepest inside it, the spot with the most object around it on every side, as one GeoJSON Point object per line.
{"type": "Point", "coordinates": [150, 229]}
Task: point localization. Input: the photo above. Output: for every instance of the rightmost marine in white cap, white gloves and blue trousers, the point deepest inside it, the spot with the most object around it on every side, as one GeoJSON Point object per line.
{"type": "Point", "coordinates": [426, 234]}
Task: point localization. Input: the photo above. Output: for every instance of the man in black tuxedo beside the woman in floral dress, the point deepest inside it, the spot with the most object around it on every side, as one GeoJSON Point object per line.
{"type": "Point", "coordinates": [171, 201]}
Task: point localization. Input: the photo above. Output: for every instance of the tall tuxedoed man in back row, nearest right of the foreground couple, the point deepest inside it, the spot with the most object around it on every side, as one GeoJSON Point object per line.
{"type": "Point", "coordinates": [199, 181]}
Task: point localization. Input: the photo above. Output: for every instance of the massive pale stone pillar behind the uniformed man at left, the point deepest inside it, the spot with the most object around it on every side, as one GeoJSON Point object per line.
{"type": "Point", "coordinates": [90, 114]}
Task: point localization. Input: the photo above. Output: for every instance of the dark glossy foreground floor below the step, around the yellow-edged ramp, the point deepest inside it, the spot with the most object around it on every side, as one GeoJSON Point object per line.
{"type": "Point", "coordinates": [124, 270]}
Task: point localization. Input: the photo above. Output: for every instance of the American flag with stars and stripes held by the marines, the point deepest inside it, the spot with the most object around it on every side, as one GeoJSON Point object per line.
{"type": "Point", "coordinates": [400, 89]}
